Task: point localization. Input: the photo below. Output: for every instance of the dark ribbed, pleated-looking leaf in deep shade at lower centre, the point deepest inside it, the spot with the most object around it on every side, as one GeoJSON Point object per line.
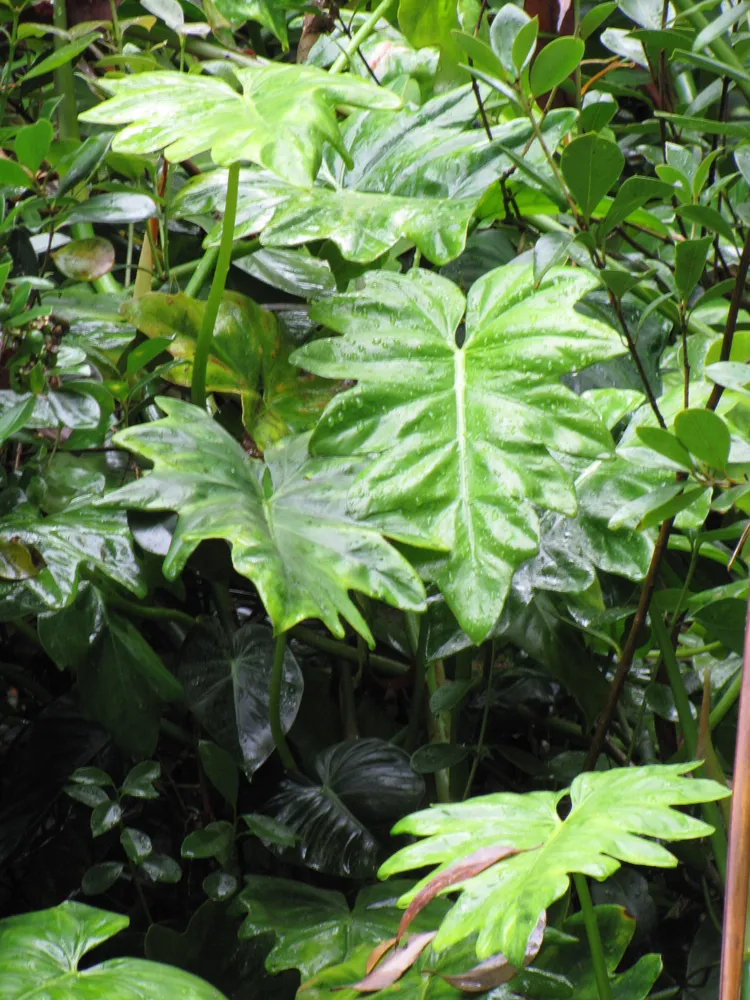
{"type": "Point", "coordinates": [363, 784]}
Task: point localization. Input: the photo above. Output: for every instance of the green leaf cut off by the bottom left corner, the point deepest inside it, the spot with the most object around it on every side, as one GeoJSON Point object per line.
{"type": "Point", "coordinates": [40, 953]}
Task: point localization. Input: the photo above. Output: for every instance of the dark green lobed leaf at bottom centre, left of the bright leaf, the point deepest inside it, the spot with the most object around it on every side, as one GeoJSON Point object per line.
{"type": "Point", "coordinates": [315, 928]}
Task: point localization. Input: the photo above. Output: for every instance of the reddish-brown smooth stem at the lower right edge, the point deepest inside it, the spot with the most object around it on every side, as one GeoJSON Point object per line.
{"type": "Point", "coordinates": [738, 866]}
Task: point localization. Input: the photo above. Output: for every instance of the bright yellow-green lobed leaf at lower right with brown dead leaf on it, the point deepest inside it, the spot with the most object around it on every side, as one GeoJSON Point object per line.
{"type": "Point", "coordinates": [611, 814]}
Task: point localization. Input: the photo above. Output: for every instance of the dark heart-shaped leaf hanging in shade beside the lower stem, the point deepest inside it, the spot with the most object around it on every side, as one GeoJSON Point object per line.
{"type": "Point", "coordinates": [227, 682]}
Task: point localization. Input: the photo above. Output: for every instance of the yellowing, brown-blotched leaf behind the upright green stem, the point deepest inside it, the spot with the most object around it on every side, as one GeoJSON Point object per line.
{"type": "Point", "coordinates": [249, 358]}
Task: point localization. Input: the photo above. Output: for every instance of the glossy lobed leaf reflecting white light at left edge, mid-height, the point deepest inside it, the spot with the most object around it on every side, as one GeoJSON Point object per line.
{"type": "Point", "coordinates": [70, 544]}
